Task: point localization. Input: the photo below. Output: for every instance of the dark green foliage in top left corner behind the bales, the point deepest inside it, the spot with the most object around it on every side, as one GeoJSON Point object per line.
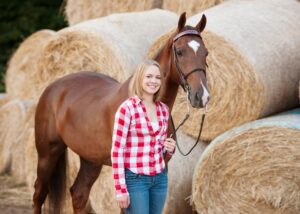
{"type": "Point", "coordinates": [19, 19]}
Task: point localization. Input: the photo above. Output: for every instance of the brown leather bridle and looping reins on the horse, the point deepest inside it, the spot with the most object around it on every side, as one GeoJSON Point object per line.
{"type": "Point", "coordinates": [187, 88]}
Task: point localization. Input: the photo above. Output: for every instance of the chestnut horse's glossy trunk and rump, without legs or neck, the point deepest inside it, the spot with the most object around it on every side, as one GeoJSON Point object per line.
{"type": "Point", "coordinates": [80, 108]}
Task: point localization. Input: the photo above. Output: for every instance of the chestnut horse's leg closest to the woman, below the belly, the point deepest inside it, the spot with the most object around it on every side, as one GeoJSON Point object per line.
{"type": "Point", "coordinates": [87, 175]}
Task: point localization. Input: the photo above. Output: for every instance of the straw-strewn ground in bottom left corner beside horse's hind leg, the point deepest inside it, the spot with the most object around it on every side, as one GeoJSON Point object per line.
{"type": "Point", "coordinates": [14, 196]}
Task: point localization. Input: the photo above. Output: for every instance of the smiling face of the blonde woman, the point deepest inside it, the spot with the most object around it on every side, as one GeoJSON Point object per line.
{"type": "Point", "coordinates": [151, 80]}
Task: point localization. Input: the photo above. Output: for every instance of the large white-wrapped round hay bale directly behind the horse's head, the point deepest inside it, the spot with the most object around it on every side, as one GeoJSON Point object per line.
{"type": "Point", "coordinates": [249, 77]}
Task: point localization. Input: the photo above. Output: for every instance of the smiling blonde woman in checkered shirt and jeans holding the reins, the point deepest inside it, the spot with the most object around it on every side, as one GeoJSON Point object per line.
{"type": "Point", "coordinates": [140, 143]}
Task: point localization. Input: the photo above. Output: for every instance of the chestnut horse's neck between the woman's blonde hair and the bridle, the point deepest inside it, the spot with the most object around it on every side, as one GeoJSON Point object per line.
{"type": "Point", "coordinates": [171, 87]}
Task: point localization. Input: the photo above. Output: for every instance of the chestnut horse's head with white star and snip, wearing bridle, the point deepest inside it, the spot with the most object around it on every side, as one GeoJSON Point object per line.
{"type": "Point", "coordinates": [189, 61]}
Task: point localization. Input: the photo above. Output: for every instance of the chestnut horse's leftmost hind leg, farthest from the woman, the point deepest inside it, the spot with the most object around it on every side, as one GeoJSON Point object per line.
{"type": "Point", "coordinates": [47, 161]}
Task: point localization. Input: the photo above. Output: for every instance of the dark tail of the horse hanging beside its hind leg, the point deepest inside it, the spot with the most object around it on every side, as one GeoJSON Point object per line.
{"type": "Point", "coordinates": [57, 185]}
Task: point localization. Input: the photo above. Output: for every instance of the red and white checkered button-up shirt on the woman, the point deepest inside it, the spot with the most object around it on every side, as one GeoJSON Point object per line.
{"type": "Point", "coordinates": [136, 146]}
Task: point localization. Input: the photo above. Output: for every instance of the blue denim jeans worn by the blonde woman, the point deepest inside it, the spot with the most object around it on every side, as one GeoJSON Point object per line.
{"type": "Point", "coordinates": [147, 193]}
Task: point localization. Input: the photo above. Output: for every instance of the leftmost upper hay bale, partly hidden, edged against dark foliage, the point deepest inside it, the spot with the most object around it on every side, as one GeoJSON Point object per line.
{"type": "Point", "coordinates": [22, 66]}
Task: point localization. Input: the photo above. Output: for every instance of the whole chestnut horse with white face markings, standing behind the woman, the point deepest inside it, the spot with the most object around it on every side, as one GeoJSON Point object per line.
{"type": "Point", "coordinates": [77, 111]}
